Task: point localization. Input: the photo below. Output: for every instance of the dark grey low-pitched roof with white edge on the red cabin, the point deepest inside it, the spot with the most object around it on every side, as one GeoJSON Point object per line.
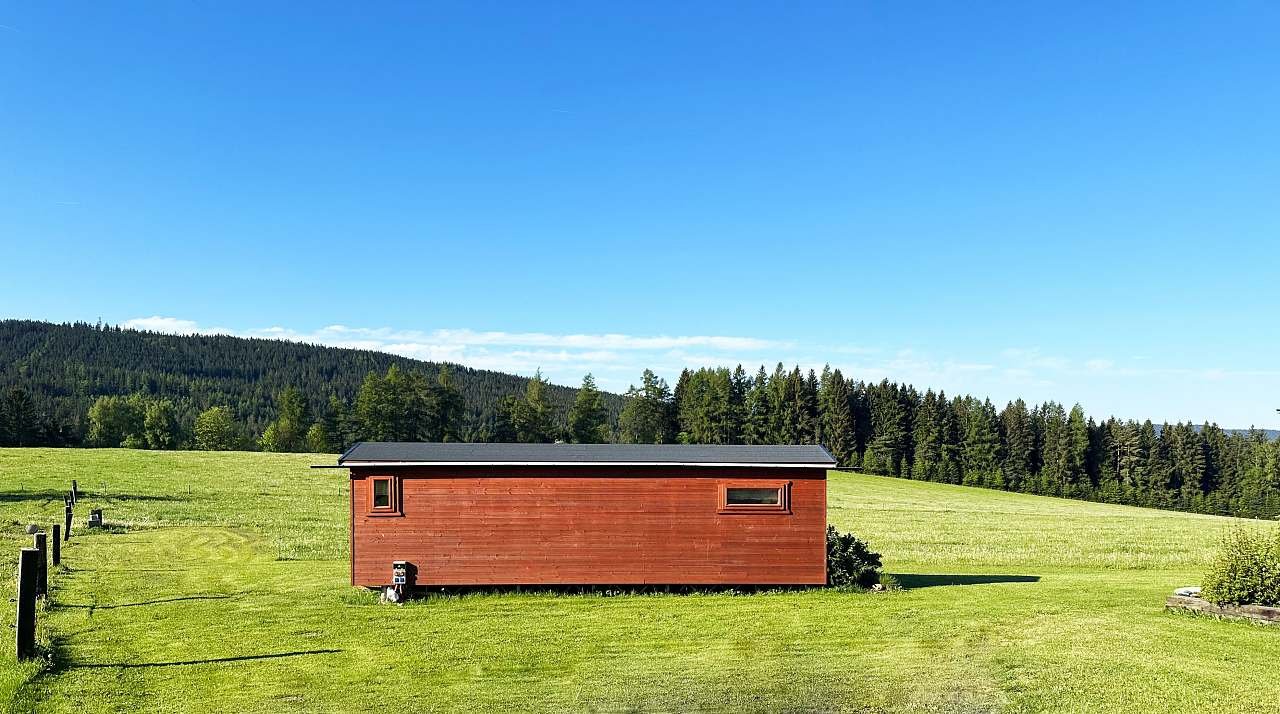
{"type": "Point", "coordinates": [403, 454]}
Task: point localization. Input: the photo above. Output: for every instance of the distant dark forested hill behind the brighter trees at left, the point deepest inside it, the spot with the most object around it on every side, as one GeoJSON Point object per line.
{"type": "Point", "coordinates": [66, 368]}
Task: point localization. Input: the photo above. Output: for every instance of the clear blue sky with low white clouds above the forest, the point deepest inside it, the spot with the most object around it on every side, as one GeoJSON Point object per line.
{"type": "Point", "coordinates": [1072, 203]}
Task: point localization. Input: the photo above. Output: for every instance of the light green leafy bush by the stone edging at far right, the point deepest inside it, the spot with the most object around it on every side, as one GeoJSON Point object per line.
{"type": "Point", "coordinates": [1246, 571]}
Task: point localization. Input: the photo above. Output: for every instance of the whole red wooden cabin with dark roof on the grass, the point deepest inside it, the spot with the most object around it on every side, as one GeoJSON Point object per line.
{"type": "Point", "coordinates": [588, 514]}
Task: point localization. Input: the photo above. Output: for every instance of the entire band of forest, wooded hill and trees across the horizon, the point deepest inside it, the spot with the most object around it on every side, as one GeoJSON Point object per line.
{"type": "Point", "coordinates": [97, 386]}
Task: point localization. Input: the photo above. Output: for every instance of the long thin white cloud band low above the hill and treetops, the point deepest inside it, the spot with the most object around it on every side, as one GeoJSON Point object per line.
{"type": "Point", "coordinates": [1127, 387]}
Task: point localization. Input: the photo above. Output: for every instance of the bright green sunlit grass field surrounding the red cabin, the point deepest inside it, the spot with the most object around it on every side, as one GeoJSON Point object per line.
{"type": "Point", "coordinates": [226, 591]}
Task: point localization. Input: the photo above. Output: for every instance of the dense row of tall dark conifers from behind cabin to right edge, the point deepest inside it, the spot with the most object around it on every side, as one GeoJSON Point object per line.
{"type": "Point", "coordinates": [894, 429]}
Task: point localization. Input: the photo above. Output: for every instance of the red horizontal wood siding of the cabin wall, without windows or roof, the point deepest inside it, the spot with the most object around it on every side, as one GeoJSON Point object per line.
{"type": "Point", "coordinates": [589, 527]}
